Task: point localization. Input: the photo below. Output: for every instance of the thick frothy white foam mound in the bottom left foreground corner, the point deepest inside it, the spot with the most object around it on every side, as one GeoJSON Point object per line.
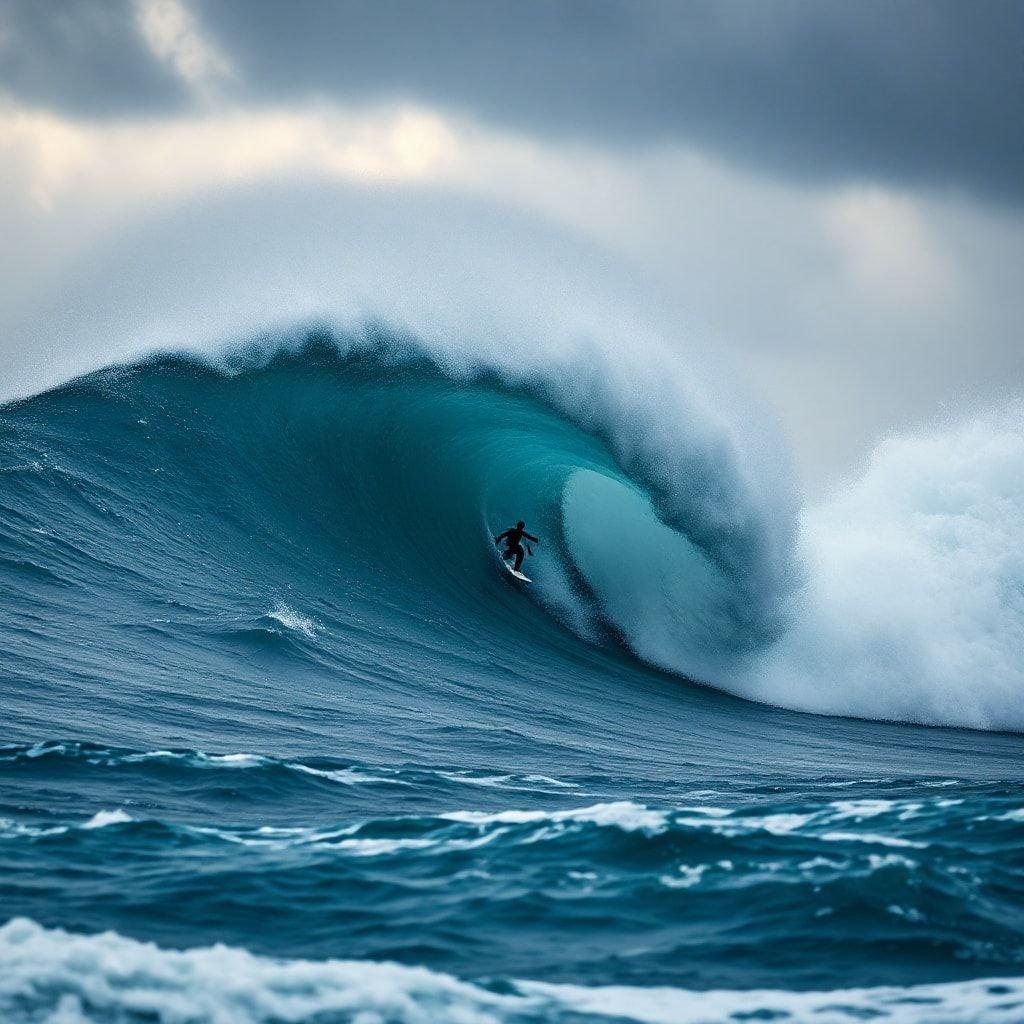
{"type": "Point", "coordinates": [49, 972]}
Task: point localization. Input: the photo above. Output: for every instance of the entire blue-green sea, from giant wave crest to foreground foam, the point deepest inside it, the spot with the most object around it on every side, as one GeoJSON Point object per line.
{"type": "Point", "coordinates": [281, 742]}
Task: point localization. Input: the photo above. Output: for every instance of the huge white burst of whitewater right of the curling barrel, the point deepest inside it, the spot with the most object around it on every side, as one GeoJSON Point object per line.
{"type": "Point", "coordinates": [914, 609]}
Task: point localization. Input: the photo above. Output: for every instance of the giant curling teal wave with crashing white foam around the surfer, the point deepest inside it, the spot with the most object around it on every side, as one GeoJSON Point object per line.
{"type": "Point", "coordinates": [371, 468]}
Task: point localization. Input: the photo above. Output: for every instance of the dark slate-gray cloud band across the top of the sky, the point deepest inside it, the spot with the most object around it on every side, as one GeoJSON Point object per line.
{"type": "Point", "coordinates": [923, 92]}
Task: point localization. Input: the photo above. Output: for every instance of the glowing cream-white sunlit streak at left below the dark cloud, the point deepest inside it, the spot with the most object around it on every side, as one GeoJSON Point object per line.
{"type": "Point", "coordinates": [62, 161]}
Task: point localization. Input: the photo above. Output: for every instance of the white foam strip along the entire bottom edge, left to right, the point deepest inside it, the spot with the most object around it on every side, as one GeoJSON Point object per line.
{"type": "Point", "coordinates": [62, 978]}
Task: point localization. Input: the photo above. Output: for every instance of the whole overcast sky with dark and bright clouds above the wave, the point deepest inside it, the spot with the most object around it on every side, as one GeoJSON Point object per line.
{"type": "Point", "coordinates": [827, 197]}
